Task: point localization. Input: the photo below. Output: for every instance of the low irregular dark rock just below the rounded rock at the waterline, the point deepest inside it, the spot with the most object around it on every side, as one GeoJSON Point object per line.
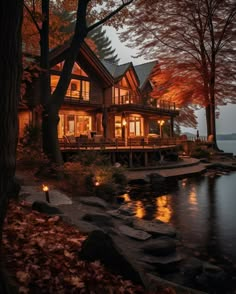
{"type": "Point", "coordinates": [164, 263]}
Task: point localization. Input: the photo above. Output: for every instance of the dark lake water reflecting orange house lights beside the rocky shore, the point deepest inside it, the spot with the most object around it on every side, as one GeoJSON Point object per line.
{"type": "Point", "coordinates": [203, 209]}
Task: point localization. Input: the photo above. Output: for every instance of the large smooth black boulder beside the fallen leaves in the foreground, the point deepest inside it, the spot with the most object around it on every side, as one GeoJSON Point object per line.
{"type": "Point", "coordinates": [100, 246]}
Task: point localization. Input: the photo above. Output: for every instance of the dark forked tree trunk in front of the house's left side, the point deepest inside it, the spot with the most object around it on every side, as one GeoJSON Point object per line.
{"type": "Point", "coordinates": [52, 102]}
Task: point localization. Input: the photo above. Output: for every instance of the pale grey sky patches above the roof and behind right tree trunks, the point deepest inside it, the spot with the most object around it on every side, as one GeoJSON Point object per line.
{"type": "Point", "coordinates": [226, 124]}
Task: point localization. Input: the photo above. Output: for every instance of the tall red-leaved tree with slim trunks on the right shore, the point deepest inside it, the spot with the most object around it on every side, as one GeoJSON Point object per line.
{"type": "Point", "coordinates": [199, 36]}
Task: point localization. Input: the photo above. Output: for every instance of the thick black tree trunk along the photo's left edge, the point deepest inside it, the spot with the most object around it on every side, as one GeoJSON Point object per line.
{"type": "Point", "coordinates": [10, 77]}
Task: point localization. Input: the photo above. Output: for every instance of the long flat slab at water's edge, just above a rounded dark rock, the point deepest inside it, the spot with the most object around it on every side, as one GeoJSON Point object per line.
{"type": "Point", "coordinates": [154, 227]}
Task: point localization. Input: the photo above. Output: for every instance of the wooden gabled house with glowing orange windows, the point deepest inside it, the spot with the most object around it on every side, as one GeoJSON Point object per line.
{"type": "Point", "coordinates": [104, 100]}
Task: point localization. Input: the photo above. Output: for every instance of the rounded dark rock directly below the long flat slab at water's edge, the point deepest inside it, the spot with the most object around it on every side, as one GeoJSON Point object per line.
{"type": "Point", "coordinates": [160, 246]}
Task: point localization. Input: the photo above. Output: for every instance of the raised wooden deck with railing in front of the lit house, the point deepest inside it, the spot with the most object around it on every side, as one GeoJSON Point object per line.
{"type": "Point", "coordinates": [130, 154]}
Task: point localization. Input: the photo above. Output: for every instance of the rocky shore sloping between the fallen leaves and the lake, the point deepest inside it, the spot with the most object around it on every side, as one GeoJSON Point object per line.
{"type": "Point", "coordinates": [146, 252]}
